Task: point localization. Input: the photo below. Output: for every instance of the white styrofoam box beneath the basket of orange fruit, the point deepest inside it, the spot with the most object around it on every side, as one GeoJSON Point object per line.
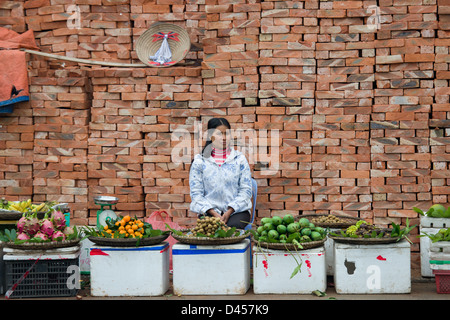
{"type": "Point", "coordinates": [129, 271]}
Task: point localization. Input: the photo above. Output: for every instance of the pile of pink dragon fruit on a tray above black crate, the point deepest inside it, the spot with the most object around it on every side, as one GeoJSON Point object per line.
{"type": "Point", "coordinates": [31, 229]}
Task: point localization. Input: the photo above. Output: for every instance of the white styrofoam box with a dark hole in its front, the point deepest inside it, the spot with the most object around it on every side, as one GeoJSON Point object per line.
{"type": "Point", "coordinates": [372, 269]}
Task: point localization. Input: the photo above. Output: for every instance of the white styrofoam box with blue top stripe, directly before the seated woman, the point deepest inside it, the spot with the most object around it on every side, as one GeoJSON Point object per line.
{"type": "Point", "coordinates": [211, 269]}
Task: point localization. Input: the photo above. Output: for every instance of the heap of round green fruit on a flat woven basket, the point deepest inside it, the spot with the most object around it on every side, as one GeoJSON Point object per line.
{"type": "Point", "coordinates": [286, 230]}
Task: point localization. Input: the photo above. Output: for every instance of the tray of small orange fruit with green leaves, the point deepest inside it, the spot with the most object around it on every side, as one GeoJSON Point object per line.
{"type": "Point", "coordinates": [125, 227]}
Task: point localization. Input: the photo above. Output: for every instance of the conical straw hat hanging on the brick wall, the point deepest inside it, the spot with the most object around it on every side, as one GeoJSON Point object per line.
{"type": "Point", "coordinates": [150, 41]}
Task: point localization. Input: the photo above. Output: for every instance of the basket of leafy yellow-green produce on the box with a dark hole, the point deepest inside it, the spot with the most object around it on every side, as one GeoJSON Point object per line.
{"type": "Point", "coordinates": [364, 229]}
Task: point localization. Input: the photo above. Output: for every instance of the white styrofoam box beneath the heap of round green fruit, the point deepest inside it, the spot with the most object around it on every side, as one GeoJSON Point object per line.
{"type": "Point", "coordinates": [272, 270]}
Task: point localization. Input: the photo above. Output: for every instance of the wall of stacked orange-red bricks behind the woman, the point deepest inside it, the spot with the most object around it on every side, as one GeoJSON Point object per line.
{"type": "Point", "coordinates": [361, 104]}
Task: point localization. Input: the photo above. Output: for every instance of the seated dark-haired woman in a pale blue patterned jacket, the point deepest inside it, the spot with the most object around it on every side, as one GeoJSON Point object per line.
{"type": "Point", "coordinates": [220, 178]}
